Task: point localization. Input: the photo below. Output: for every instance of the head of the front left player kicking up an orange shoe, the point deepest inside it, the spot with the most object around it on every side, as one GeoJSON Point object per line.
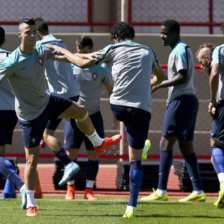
{"type": "Point", "coordinates": [28, 32]}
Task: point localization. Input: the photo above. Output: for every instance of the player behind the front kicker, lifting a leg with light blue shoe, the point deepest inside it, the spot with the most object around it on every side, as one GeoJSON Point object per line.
{"type": "Point", "coordinates": [61, 82]}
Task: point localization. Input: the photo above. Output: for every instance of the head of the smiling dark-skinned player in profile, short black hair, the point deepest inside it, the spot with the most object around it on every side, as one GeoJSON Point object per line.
{"type": "Point", "coordinates": [170, 32]}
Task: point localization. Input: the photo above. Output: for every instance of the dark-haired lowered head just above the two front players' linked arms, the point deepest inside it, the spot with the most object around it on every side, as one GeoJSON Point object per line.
{"type": "Point", "coordinates": [84, 44]}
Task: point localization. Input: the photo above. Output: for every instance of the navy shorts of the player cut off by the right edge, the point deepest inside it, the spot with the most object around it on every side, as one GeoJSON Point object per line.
{"type": "Point", "coordinates": [217, 133]}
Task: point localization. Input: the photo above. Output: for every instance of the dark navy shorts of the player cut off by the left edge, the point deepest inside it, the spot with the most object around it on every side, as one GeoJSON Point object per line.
{"type": "Point", "coordinates": [8, 120]}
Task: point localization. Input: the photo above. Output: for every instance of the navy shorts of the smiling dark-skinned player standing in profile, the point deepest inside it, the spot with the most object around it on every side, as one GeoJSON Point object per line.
{"type": "Point", "coordinates": [180, 117]}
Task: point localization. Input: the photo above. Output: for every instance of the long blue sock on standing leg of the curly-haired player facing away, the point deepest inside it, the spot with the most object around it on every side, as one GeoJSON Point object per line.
{"type": "Point", "coordinates": [135, 181]}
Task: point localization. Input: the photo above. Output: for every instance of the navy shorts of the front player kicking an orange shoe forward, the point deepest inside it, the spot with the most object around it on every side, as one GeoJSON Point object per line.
{"type": "Point", "coordinates": [32, 131]}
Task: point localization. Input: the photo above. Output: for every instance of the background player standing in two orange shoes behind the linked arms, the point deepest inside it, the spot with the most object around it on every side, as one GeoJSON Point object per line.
{"type": "Point", "coordinates": [91, 82]}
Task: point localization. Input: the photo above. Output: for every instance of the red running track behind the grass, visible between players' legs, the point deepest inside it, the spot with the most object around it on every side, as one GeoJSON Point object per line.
{"type": "Point", "coordinates": [105, 182]}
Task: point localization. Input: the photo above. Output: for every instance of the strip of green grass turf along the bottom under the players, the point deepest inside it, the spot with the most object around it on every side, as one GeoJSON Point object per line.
{"type": "Point", "coordinates": [109, 210]}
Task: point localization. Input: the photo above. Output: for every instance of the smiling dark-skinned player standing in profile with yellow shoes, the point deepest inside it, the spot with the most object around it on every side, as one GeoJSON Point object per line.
{"type": "Point", "coordinates": [180, 116]}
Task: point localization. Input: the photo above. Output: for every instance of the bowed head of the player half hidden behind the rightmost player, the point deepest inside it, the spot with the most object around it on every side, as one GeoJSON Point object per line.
{"type": "Point", "coordinates": [204, 55]}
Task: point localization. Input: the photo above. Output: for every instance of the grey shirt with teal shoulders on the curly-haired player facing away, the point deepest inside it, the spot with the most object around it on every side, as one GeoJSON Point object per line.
{"type": "Point", "coordinates": [131, 66]}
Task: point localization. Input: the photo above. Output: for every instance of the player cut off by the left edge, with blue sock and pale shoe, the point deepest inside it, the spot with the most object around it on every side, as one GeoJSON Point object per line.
{"type": "Point", "coordinates": [8, 120]}
